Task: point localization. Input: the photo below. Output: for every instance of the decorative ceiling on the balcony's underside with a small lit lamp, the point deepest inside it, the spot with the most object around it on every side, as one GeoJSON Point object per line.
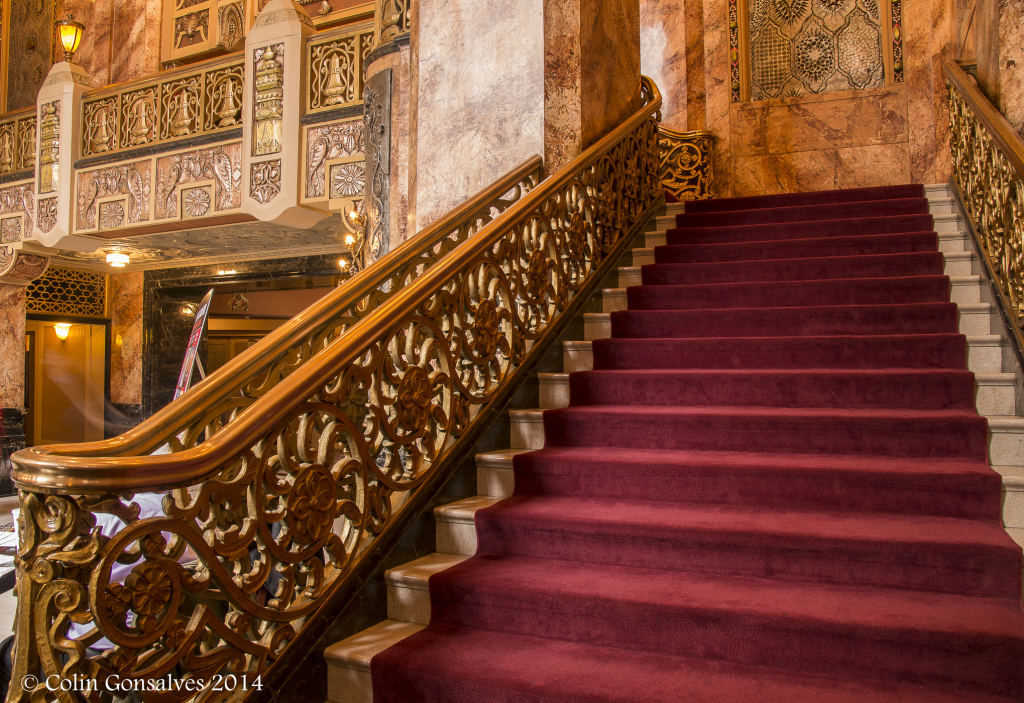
{"type": "Point", "coordinates": [249, 242]}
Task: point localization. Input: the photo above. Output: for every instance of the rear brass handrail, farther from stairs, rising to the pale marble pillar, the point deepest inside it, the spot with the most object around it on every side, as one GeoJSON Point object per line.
{"type": "Point", "coordinates": [351, 300]}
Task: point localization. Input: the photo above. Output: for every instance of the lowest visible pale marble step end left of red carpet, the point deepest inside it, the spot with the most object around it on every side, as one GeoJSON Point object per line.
{"type": "Point", "coordinates": [349, 662]}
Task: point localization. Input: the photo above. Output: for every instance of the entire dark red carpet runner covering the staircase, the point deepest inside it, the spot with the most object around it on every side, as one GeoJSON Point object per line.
{"type": "Point", "coordinates": [773, 489]}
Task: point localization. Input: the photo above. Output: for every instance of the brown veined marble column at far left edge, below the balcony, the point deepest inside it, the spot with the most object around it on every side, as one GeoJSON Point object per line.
{"type": "Point", "coordinates": [12, 379]}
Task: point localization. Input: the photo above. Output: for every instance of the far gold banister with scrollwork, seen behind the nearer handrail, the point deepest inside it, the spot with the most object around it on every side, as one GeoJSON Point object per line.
{"type": "Point", "coordinates": [231, 388]}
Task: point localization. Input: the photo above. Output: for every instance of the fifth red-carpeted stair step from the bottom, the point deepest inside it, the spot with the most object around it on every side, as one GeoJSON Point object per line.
{"type": "Point", "coordinates": [833, 431]}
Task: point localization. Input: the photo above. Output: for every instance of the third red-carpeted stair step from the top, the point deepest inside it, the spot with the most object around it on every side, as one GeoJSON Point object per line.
{"type": "Point", "coordinates": [800, 231]}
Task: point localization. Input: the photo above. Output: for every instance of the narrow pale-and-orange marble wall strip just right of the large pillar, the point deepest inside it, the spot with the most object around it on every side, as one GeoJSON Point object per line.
{"type": "Point", "coordinates": [664, 58]}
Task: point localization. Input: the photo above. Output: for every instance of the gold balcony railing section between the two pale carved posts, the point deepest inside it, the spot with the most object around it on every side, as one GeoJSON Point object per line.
{"type": "Point", "coordinates": [197, 100]}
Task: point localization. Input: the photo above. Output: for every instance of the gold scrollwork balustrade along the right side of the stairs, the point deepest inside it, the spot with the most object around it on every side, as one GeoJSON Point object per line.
{"type": "Point", "coordinates": [989, 170]}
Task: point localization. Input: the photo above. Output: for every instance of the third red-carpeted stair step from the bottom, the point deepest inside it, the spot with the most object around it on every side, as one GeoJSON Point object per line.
{"type": "Point", "coordinates": [916, 553]}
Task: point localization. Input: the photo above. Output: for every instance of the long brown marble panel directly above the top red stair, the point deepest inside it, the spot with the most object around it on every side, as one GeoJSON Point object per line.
{"type": "Point", "coordinates": [821, 170]}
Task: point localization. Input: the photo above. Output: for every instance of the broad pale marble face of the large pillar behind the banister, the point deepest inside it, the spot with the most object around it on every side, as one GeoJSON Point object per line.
{"type": "Point", "coordinates": [481, 98]}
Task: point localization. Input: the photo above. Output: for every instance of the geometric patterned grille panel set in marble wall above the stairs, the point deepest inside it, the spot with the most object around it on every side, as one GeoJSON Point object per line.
{"type": "Point", "coordinates": [801, 48]}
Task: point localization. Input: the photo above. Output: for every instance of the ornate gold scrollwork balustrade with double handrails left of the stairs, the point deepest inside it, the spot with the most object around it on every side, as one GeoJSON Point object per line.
{"type": "Point", "coordinates": [282, 505]}
